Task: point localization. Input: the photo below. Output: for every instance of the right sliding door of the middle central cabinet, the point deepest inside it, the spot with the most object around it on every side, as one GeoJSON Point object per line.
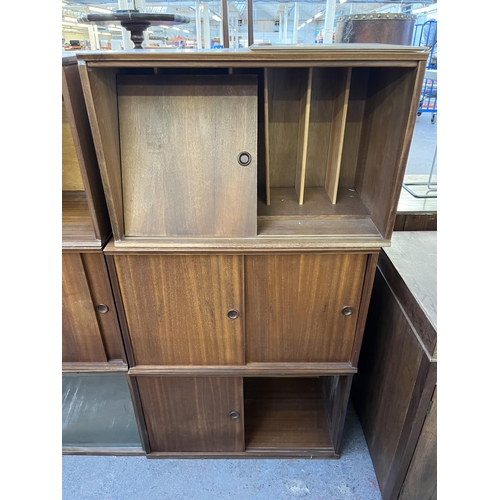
{"type": "Point", "coordinates": [294, 307]}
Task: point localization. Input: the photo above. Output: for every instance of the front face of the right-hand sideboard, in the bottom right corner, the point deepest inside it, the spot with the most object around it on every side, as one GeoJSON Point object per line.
{"type": "Point", "coordinates": [421, 480]}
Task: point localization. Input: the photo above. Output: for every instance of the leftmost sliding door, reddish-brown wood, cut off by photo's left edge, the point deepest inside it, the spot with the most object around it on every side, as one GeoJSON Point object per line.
{"type": "Point", "coordinates": [81, 337]}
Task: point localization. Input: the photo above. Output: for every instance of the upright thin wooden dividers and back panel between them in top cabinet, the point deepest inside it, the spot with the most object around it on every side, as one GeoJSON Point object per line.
{"type": "Point", "coordinates": [305, 126]}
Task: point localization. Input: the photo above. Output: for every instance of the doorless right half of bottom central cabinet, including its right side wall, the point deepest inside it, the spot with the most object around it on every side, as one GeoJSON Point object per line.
{"type": "Point", "coordinates": [301, 415]}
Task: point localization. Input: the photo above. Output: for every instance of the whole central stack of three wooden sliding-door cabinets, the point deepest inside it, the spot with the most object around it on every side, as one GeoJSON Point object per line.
{"type": "Point", "coordinates": [249, 195]}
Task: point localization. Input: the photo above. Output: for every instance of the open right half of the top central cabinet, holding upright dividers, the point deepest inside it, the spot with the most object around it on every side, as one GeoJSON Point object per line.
{"type": "Point", "coordinates": [337, 141]}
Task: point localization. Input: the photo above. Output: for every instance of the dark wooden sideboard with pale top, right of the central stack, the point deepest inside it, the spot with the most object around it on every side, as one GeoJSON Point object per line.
{"type": "Point", "coordinates": [395, 389]}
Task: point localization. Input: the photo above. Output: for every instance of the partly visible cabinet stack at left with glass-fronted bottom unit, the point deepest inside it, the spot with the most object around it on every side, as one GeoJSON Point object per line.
{"type": "Point", "coordinates": [94, 363]}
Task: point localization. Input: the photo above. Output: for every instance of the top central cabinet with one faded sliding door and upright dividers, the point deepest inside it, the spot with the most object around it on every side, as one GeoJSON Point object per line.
{"type": "Point", "coordinates": [253, 149]}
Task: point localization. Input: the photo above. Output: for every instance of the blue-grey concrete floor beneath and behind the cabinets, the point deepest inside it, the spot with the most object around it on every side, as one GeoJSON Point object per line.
{"type": "Point", "coordinates": [136, 478]}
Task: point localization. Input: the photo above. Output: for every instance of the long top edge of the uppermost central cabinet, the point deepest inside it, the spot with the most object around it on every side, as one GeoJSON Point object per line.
{"type": "Point", "coordinates": [298, 54]}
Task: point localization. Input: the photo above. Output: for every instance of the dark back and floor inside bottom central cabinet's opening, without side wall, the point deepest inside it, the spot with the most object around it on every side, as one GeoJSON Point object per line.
{"type": "Point", "coordinates": [285, 413]}
